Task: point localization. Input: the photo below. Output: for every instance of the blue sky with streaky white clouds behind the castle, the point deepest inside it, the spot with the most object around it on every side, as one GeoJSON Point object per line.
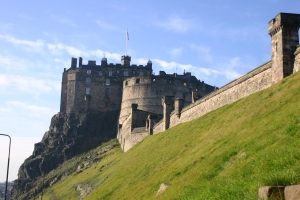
{"type": "Point", "coordinates": [215, 40]}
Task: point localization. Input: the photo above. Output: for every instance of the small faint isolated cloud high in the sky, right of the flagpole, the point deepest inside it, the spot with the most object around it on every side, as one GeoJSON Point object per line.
{"type": "Point", "coordinates": [177, 24]}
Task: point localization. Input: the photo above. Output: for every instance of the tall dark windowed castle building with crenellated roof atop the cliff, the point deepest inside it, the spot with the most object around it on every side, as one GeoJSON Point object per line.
{"type": "Point", "coordinates": [97, 87]}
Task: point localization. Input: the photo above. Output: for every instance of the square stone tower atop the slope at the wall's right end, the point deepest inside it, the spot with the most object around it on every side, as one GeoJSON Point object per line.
{"type": "Point", "coordinates": [283, 30]}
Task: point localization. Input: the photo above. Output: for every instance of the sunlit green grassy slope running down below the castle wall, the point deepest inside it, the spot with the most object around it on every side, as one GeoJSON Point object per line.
{"type": "Point", "coordinates": [227, 154]}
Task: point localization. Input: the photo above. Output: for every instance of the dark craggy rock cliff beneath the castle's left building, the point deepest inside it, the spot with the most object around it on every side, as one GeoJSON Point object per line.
{"type": "Point", "coordinates": [68, 135]}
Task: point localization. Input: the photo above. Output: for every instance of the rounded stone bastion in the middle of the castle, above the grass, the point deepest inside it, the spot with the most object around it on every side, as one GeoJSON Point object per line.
{"type": "Point", "coordinates": [148, 95]}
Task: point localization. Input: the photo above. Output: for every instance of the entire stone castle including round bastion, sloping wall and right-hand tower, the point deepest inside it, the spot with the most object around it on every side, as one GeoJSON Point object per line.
{"type": "Point", "coordinates": [149, 104]}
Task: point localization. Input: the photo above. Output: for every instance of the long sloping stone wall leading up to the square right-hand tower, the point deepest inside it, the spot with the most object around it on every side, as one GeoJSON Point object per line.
{"type": "Point", "coordinates": [254, 81]}
